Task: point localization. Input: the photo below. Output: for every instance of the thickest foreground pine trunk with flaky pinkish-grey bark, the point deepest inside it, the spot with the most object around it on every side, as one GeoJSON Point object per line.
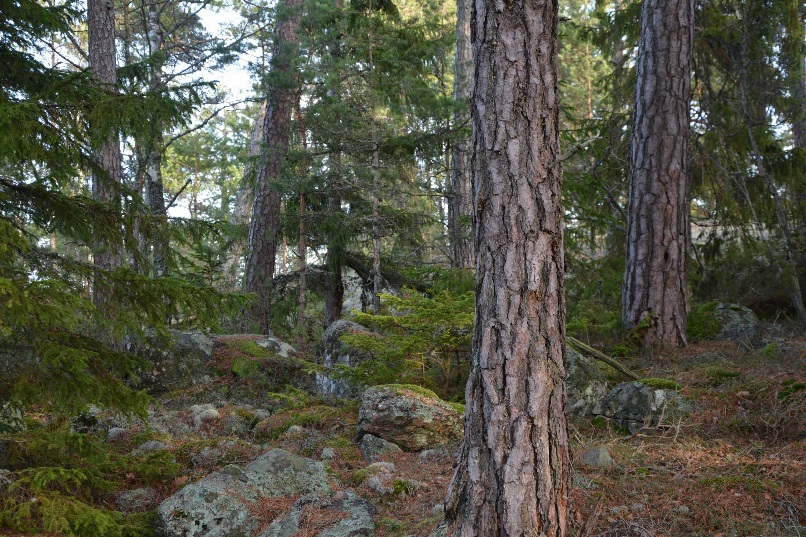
{"type": "Point", "coordinates": [514, 469]}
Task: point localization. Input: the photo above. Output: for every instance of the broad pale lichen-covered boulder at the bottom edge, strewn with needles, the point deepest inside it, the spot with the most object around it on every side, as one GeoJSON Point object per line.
{"type": "Point", "coordinates": [224, 503]}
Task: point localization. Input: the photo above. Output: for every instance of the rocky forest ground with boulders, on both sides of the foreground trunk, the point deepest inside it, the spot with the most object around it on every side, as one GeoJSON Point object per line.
{"type": "Point", "coordinates": [713, 444]}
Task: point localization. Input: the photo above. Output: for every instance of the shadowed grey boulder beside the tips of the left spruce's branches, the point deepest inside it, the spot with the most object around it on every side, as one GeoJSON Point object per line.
{"type": "Point", "coordinates": [177, 365]}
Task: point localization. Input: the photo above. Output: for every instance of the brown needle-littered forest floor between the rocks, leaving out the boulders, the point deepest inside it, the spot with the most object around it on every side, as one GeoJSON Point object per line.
{"type": "Point", "coordinates": [736, 467]}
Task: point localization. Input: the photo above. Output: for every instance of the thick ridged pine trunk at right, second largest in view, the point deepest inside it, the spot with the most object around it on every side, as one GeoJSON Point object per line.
{"type": "Point", "coordinates": [654, 289]}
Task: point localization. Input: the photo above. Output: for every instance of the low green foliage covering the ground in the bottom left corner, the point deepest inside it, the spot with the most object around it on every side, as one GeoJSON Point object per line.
{"type": "Point", "coordinates": [63, 477]}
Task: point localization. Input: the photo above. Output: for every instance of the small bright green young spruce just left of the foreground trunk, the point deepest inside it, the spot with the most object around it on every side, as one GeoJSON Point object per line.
{"type": "Point", "coordinates": [423, 340]}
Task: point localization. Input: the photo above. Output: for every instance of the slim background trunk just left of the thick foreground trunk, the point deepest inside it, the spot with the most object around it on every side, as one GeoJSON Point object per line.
{"type": "Point", "coordinates": [460, 193]}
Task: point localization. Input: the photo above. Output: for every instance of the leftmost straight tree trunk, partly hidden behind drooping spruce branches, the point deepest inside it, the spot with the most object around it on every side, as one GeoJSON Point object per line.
{"type": "Point", "coordinates": [102, 60]}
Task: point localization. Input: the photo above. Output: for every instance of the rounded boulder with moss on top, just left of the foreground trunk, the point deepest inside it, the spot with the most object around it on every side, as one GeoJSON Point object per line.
{"type": "Point", "coordinates": [411, 417]}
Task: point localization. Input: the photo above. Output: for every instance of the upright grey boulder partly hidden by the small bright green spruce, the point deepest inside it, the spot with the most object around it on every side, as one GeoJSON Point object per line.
{"type": "Point", "coordinates": [334, 352]}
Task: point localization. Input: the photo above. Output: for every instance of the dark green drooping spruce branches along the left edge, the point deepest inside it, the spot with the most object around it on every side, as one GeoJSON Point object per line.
{"type": "Point", "coordinates": [60, 350]}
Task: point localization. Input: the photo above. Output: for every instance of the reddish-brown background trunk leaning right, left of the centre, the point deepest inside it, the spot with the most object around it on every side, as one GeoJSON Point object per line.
{"type": "Point", "coordinates": [280, 99]}
